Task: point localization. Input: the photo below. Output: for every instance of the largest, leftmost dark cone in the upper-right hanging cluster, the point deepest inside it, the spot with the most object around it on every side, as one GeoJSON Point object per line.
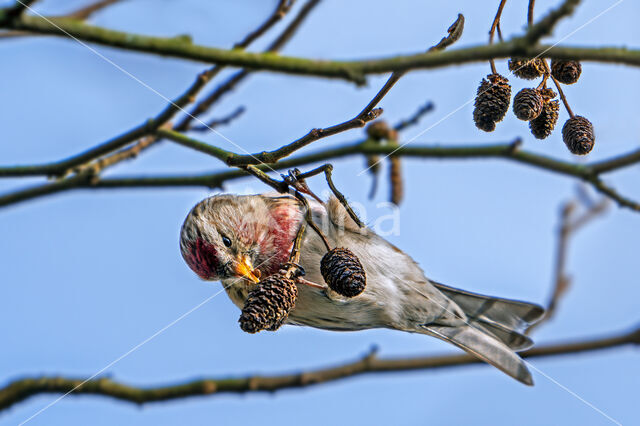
{"type": "Point", "coordinates": [492, 102]}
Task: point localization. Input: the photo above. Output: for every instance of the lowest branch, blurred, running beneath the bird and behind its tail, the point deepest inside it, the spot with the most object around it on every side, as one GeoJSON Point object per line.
{"type": "Point", "coordinates": [22, 389]}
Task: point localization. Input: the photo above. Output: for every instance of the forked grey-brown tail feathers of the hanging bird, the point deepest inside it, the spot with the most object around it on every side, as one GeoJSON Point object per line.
{"type": "Point", "coordinates": [493, 331]}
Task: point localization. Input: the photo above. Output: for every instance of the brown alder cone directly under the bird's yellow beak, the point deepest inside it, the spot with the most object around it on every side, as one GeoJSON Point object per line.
{"type": "Point", "coordinates": [268, 304]}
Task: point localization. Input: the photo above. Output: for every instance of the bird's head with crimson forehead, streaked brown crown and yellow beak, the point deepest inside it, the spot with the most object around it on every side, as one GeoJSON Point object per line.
{"type": "Point", "coordinates": [228, 236]}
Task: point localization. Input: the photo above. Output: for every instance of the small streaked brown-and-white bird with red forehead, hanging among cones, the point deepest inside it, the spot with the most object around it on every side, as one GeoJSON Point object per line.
{"type": "Point", "coordinates": [239, 239]}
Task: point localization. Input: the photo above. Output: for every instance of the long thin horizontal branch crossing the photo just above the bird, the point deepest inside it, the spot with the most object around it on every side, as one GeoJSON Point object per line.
{"type": "Point", "coordinates": [508, 151]}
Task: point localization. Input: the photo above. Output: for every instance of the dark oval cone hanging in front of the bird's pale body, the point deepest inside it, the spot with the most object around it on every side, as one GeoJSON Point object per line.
{"type": "Point", "coordinates": [343, 272]}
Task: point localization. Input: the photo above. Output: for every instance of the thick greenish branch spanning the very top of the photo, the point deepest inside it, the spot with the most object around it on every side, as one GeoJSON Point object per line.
{"type": "Point", "coordinates": [355, 71]}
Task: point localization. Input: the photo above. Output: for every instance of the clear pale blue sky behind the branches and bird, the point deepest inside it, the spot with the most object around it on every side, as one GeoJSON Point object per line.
{"type": "Point", "coordinates": [87, 275]}
